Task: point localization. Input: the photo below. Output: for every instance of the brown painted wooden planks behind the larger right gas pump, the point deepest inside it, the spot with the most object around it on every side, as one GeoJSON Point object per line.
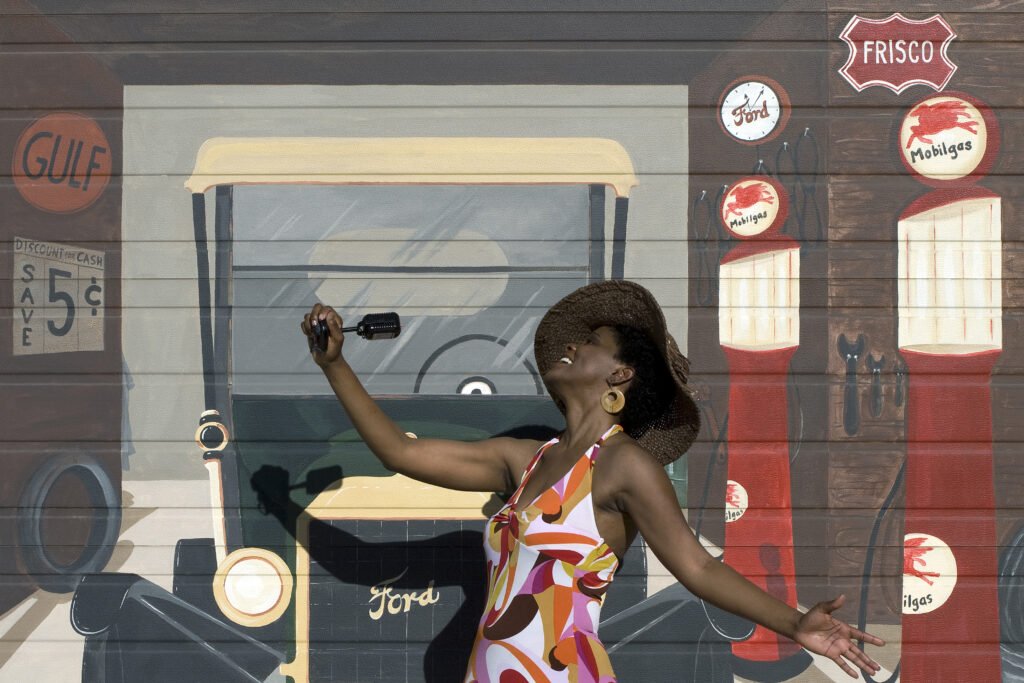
{"type": "Point", "coordinates": [868, 190]}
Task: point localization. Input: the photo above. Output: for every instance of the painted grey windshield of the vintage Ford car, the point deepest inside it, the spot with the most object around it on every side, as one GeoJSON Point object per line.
{"type": "Point", "coordinates": [470, 269]}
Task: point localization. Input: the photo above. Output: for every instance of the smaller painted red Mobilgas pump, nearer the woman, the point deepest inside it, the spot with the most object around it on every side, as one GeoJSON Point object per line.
{"type": "Point", "coordinates": [759, 330]}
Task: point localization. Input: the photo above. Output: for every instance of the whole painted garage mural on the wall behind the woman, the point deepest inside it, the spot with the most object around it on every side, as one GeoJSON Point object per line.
{"type": "Point", "coordinates": [825, 202]}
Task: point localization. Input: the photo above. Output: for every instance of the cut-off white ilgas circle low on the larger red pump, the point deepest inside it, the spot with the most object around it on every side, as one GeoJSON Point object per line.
{"type": "Point", "coordinates": [929, 574]}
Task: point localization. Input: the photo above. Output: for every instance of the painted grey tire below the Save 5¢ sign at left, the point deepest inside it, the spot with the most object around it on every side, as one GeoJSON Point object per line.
{"type": "Point", "coordinates": [59, 567]}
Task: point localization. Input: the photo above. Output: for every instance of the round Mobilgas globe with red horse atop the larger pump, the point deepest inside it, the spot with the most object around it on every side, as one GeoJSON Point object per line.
{"type": "Point", "coordinates": [947, 139]}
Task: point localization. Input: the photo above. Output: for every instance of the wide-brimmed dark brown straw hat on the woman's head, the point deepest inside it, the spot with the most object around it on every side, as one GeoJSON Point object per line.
{"type": "Point", "coordinates": [612, 303]}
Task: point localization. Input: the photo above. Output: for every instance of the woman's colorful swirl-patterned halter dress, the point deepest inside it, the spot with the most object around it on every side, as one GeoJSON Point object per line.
{"type": "Point", "coordinates": [548, 569]}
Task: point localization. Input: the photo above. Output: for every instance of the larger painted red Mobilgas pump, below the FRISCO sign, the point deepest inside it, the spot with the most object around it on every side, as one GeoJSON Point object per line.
{"type": "Point", "coordinates": [951, 336]}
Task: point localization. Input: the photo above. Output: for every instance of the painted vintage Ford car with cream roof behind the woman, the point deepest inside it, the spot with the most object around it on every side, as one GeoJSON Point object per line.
{"type": "Point", "coordinates": [323, 562]}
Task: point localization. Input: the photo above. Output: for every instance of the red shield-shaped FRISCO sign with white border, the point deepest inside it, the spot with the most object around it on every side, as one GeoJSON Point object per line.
{"type": "Point", "coordinates": [898, 53]}
